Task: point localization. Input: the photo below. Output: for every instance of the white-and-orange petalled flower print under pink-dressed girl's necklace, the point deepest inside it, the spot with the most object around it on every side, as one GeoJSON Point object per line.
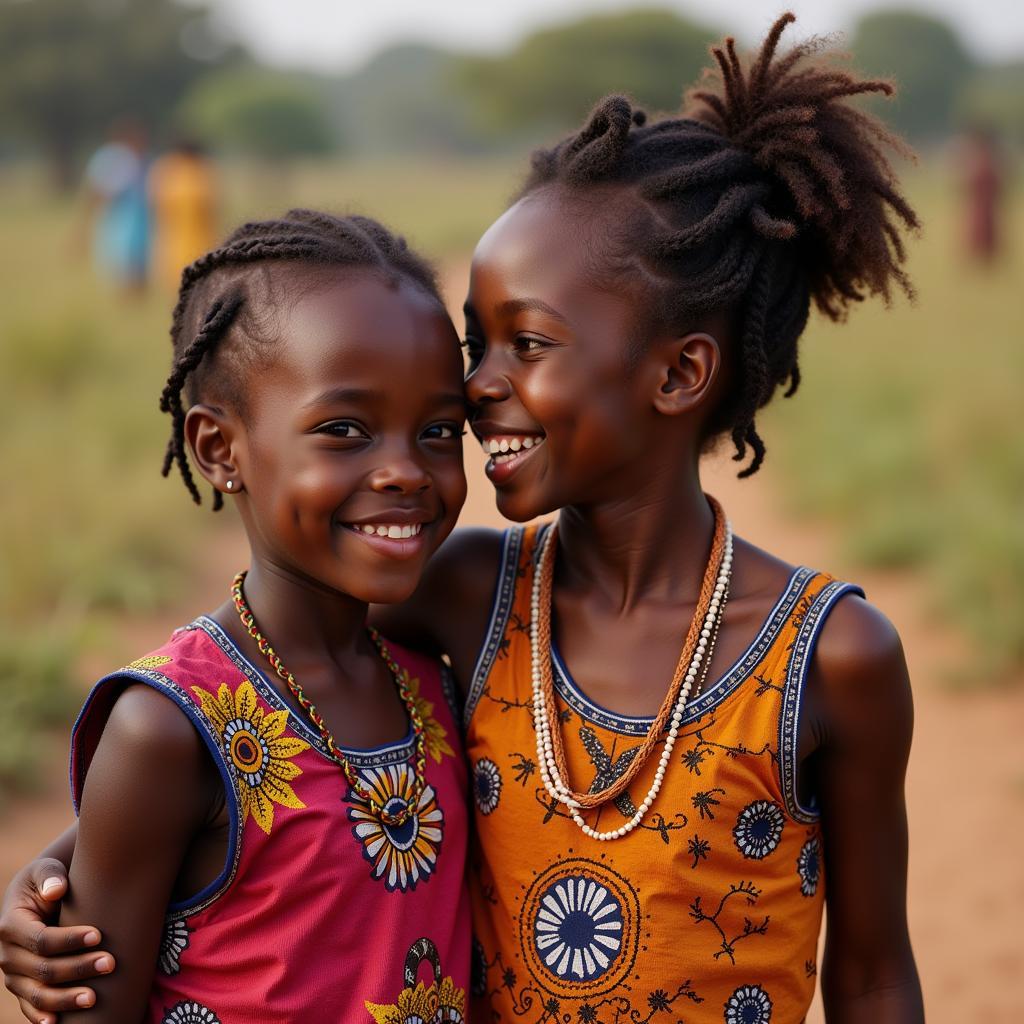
{"type": "Point", "coordinates": [401, 856]}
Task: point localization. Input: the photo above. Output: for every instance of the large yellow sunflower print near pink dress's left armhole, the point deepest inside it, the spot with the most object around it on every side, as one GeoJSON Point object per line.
{"type": "Point", "coordinates": [257, 746]}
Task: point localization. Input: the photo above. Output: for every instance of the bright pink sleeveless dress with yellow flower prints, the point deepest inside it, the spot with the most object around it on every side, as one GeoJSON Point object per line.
{"type": "Point", "coordinates": [322, 913]}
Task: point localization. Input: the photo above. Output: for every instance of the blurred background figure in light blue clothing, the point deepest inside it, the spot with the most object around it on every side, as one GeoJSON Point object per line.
{"type": "Point", "coordinates": [117, 209]}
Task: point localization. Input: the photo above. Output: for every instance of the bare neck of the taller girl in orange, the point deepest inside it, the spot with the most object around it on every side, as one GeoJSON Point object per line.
{"type": "Point", "coordinates": [652, 545]}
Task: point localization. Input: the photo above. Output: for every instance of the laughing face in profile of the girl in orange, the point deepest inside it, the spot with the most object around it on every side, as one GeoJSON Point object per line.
{"type": "Point", "coordinates": [550, 376]}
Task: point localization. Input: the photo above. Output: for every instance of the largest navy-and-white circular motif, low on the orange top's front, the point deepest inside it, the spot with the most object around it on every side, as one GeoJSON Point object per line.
{"type": "Point", "coordinates": [579, 929]}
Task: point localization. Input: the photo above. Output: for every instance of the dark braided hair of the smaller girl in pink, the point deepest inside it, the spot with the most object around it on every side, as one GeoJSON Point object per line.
{"type": "Point", "coordinates": [218, 294]}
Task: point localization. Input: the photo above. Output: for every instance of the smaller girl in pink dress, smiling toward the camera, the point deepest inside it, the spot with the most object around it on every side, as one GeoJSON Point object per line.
{"type": "Point", "coordinates": [265, 868]}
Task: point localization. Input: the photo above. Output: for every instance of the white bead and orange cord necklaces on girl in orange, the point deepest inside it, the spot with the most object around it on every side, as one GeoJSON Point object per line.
{"type": "Point", "coordinates": [697, 650]}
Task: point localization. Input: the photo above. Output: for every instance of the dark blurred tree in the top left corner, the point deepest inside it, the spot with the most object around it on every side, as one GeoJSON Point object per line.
{"type": "Point", "coordinates": [71, 68]}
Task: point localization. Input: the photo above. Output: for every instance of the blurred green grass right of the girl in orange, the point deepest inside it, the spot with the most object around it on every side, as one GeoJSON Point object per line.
{"type": "Point", "coordinates": [906, 433]}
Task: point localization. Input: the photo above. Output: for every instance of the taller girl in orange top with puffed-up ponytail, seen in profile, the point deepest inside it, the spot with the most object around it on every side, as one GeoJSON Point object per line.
{"type": "Point", "coordinates": [679, 744]}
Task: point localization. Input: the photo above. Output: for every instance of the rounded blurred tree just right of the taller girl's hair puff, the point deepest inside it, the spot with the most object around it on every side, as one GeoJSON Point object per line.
{"type": "Point", "coordinates": [928, 61]}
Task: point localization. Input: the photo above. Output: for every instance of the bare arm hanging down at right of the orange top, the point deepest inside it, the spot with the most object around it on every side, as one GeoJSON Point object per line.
{"type": "Point", "coordinates": [864, 710]}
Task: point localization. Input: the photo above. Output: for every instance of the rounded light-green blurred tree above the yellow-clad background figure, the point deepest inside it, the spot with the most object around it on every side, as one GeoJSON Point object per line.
{"type": "Point", "coordinates": [259, 113]}
